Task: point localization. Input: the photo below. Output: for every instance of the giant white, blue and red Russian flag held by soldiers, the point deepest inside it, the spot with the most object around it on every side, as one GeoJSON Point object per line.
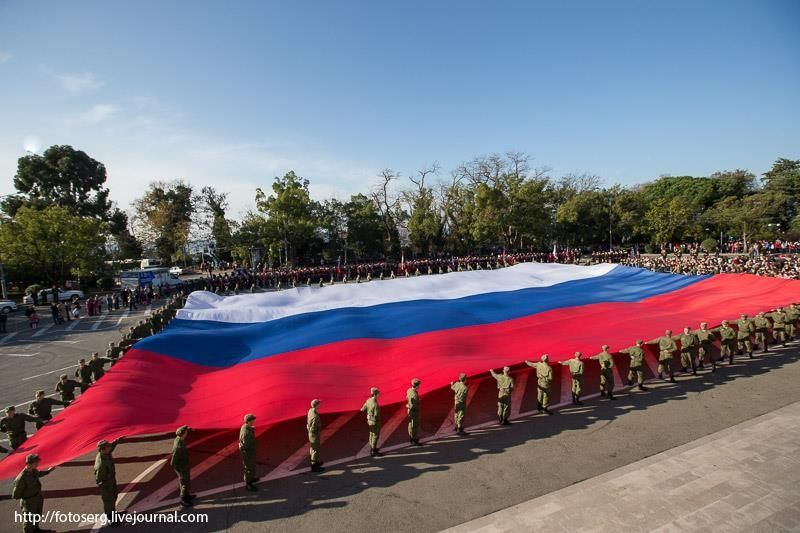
{"type": "Point", "coordinates": [271, 353]}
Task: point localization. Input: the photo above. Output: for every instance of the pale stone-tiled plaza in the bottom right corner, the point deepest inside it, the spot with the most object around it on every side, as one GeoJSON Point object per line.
{"type": "Point", "coordinates": [745, 478]}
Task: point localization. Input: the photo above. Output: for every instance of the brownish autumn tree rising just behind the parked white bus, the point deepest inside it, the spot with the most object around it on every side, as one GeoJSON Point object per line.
{"type": "Point", "coordinates": [164, 218]}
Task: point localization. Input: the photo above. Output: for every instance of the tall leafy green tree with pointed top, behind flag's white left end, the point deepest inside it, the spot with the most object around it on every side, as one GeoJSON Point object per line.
{"type": "Point", "coordinates": [291, 215]}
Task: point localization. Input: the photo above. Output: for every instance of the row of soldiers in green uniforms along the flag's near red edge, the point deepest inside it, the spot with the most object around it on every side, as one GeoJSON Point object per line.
{"type": "Point", "coordinates": [695, 348]}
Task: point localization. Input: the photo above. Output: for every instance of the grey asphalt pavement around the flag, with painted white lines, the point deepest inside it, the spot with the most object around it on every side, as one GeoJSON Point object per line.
{"type": "Point", "coordinates": [449, 481]}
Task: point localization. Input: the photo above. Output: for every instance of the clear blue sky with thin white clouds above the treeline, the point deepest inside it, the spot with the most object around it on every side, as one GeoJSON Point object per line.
{"type": "Point", "coordinates": [231, 94]}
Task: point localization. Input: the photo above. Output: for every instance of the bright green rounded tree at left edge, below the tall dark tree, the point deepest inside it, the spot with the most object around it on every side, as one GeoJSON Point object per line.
{"type": "Point", "coordinates": [51, 244]}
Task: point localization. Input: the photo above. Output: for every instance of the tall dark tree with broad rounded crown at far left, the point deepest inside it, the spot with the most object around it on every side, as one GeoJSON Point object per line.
{"type": "Point", "coordinates": [61, 176]}
